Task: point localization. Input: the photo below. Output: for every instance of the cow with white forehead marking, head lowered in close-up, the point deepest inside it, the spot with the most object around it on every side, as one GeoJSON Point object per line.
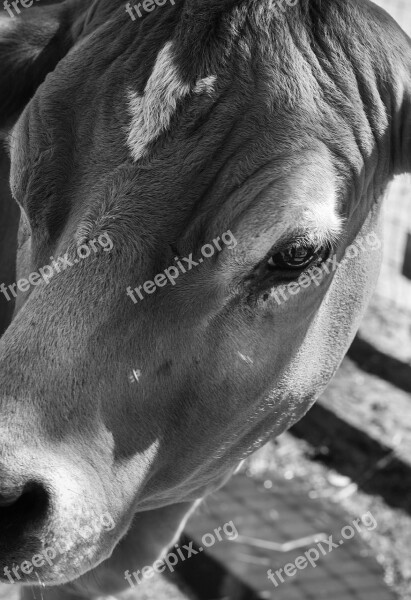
{"type": "Point", "coordinates": [277, 125]}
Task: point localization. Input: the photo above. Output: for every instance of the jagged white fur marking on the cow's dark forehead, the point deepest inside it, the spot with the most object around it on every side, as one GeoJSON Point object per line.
{"type": "Point", "coordinates": [151, 113]}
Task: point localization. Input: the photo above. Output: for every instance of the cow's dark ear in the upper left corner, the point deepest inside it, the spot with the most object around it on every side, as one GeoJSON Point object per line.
{"type": "Point", "coordinates": [31, 45]}
